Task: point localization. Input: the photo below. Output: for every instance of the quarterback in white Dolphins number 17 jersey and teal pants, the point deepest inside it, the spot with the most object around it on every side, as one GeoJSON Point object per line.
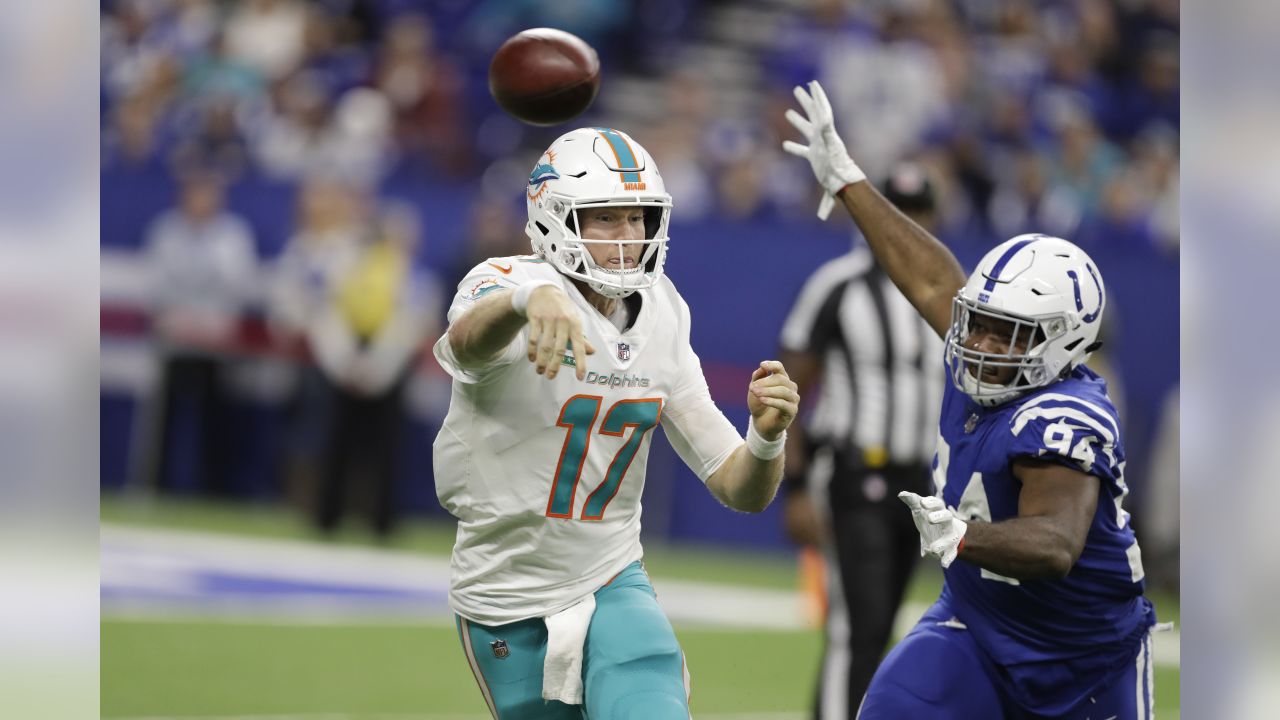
{"type": "Point", "coordinates": [563, 363]}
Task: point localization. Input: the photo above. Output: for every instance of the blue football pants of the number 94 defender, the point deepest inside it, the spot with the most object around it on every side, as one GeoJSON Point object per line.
{"type": "Point", "coordinates": [939, 673]}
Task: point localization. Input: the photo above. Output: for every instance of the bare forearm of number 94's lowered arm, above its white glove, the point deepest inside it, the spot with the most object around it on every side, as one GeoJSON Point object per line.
{"type": "Point", "coordinates": [1027, 549]}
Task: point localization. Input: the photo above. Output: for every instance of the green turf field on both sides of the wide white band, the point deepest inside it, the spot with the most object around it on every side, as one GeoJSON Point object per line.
{"type": "Point", "coordinates": [263, 671]}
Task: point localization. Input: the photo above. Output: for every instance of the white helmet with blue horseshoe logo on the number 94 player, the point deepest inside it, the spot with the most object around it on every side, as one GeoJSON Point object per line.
{"type": "Point", "coordinates": [1052, 293]}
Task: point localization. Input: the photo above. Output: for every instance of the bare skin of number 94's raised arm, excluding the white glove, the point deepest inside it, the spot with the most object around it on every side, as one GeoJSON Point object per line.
{"type": "Point", "coordinates": [924, 268]}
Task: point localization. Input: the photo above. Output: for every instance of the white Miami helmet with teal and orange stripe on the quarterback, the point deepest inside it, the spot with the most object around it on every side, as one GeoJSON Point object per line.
{"type": "Point", "coordinates": [595, 168]}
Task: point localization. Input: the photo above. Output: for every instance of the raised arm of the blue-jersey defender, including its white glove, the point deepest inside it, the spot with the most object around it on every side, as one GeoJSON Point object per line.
{"type": "Point", "coordinates": [926, 272]}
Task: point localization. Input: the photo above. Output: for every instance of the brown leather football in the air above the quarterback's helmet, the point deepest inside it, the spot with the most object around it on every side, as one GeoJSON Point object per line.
{"type": "Point", "coordinates": [545, 76]}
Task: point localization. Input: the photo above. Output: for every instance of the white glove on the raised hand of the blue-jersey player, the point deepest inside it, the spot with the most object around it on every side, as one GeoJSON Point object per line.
{"type": "Point", "coordinates": [831, 163]}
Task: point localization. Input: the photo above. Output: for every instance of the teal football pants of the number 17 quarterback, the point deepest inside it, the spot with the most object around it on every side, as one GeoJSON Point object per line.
{"type": "Point", "coordinates": [633, 668]}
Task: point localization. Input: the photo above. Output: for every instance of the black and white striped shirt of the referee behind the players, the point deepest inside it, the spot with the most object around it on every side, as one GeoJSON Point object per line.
{"type": "Point", "coordinates": [883, 363]}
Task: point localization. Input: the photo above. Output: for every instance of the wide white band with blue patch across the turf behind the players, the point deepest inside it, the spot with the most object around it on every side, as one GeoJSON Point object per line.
{"type": "Point", "coordinates": [168, 563]}
